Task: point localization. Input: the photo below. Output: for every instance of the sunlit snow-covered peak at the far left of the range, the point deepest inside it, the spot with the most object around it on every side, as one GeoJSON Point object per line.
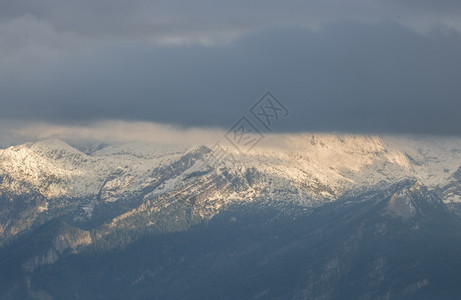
{"type": "Point", "coordinates": [56, 169]}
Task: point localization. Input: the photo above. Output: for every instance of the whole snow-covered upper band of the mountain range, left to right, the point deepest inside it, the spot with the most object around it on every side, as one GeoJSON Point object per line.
{"type": "Point", "coordinates": [309, 166]}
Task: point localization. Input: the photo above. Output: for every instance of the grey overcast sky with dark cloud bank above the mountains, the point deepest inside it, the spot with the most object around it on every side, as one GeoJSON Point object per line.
{"type": "Point", "coordinates": [360, 66]}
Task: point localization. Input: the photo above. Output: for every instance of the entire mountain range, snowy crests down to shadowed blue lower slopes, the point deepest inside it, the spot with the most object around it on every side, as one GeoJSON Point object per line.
{"type": "Point", "coordinates": [308, 216]}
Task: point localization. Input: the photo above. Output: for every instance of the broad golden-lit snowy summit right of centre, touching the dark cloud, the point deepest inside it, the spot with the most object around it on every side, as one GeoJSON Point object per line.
{"type": "Point", "coordinates": [336, 161]}
